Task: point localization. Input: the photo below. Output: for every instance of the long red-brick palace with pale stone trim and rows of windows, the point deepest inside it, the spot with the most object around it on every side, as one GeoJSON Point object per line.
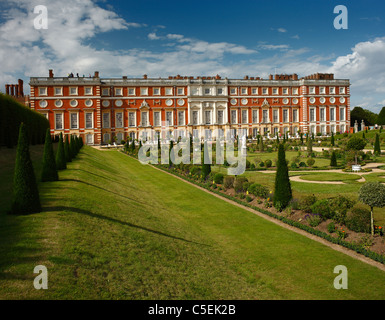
{"type": "Point", "coordinates": [101, 110]}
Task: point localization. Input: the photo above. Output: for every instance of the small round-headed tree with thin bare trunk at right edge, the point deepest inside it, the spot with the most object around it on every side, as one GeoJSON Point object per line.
{"type": "Point", "coordinates": [373, 195]}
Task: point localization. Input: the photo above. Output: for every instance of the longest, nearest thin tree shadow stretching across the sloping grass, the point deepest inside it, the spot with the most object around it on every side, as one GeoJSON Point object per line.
{"type": "Point", "coordinates": [99, 216]}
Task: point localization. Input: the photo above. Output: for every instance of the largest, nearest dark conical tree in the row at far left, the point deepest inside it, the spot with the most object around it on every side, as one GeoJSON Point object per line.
{"type": "Point", "coordinates": [25, 192]}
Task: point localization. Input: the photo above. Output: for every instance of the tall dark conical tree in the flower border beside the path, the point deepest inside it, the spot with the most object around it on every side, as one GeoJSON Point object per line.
{"type": "Point", "coordinates": [282, 189]}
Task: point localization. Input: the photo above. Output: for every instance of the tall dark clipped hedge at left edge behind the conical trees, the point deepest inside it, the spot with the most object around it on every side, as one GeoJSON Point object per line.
{"type": "Point", "coordinates": [12, 114]}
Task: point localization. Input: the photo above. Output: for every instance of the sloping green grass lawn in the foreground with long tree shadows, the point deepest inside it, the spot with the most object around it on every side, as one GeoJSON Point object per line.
{"type": "Point", "coordinates": [115, 229]}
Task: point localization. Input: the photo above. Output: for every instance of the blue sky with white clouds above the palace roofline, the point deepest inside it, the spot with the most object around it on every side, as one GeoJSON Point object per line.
{"type": "Point", "coordinates": [230, 38]}
